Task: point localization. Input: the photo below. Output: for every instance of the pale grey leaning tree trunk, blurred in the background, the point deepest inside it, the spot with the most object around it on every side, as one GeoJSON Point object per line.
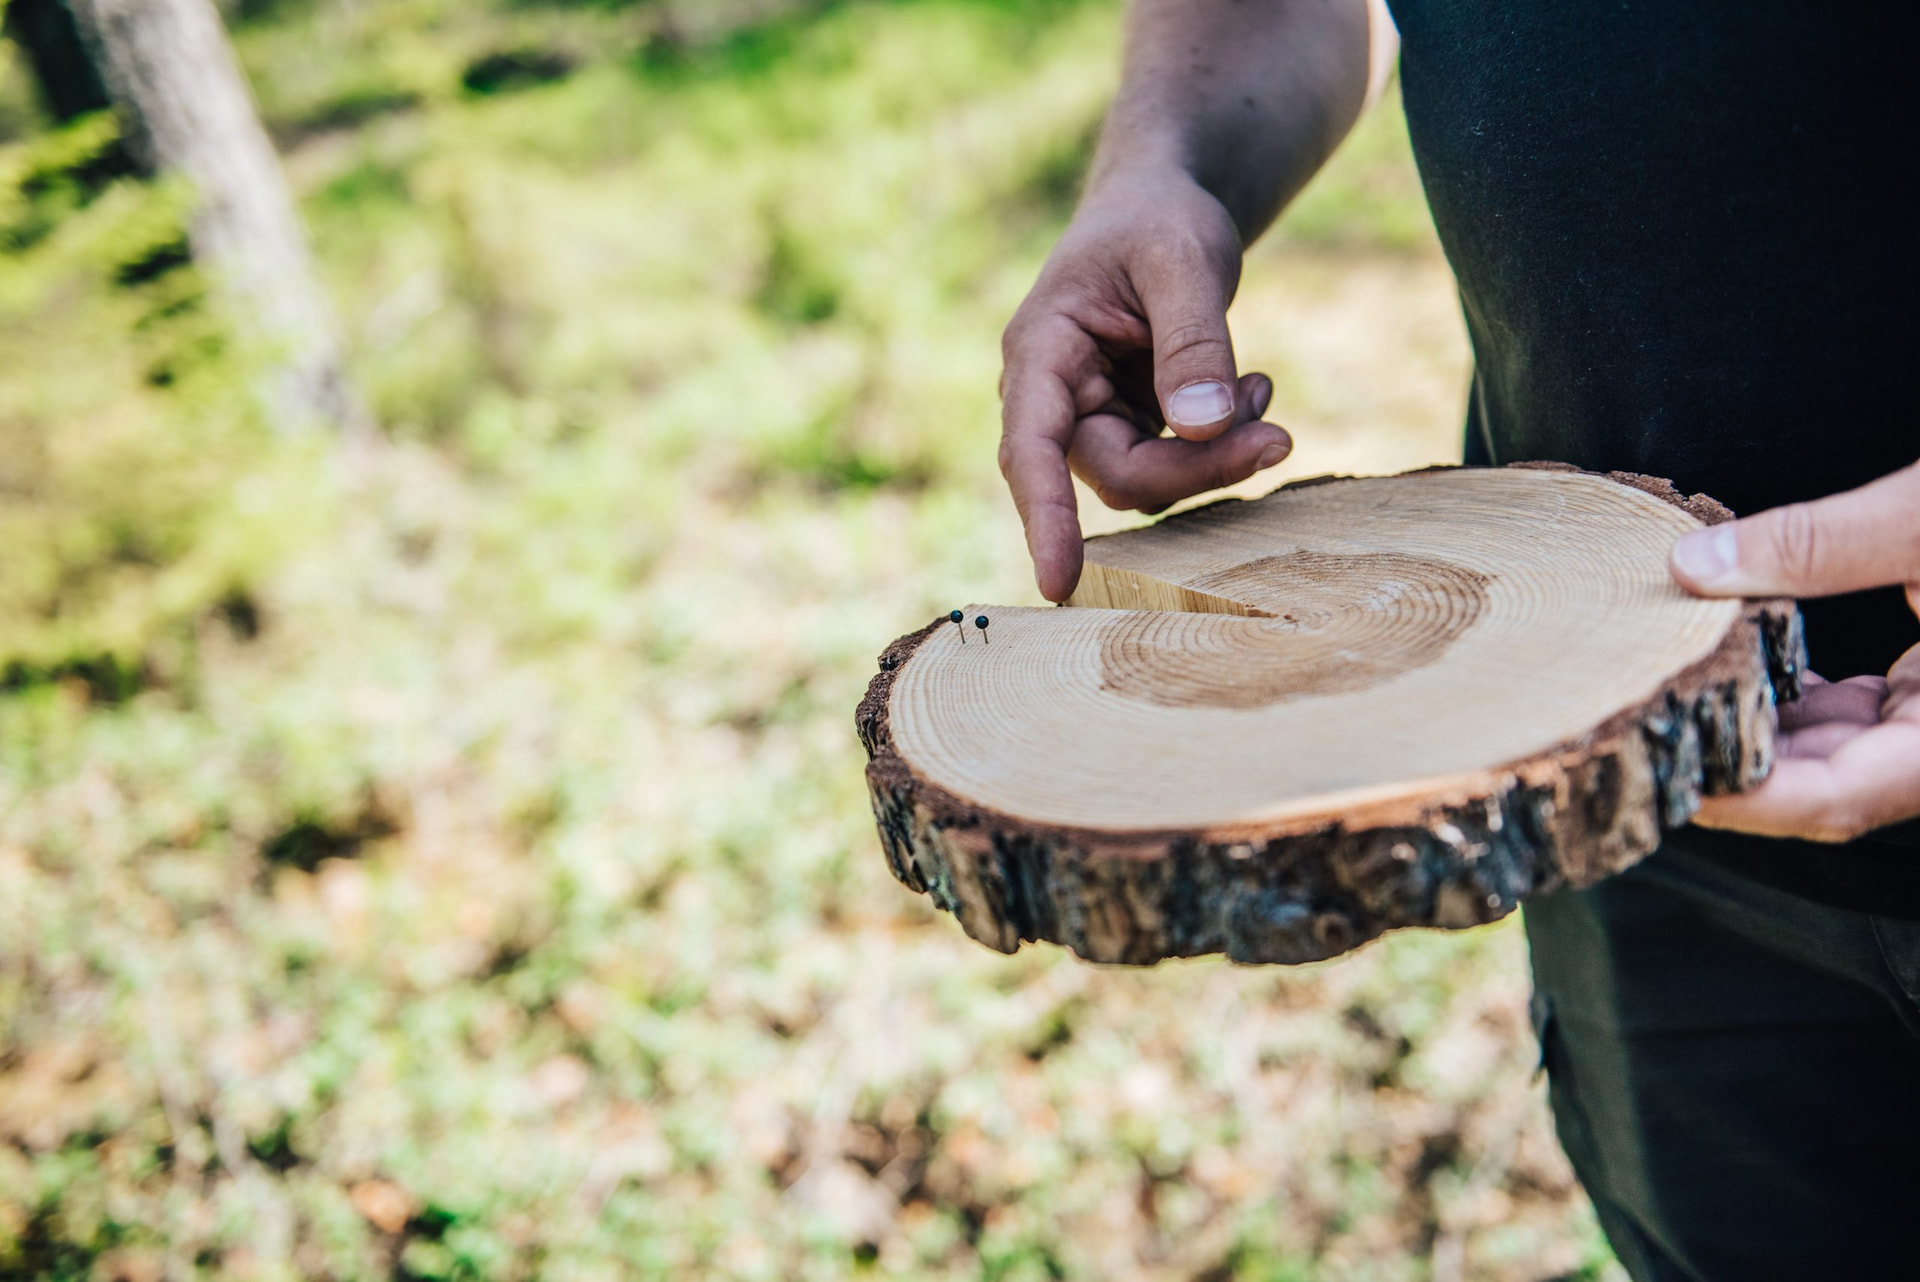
{"type": "Point", "coordinates": [187, 110]}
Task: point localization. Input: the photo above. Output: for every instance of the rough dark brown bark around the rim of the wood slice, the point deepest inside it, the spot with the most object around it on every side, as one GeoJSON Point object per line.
{"type": "Point", "coordinates": [1310, 891]}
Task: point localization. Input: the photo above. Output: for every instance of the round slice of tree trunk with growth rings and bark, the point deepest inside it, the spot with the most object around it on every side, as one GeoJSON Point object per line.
{"type": "Point", "coordinates": [1278, 728]}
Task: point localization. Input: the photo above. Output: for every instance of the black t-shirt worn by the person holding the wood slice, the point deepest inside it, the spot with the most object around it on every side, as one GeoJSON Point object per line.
{"type": "Point", "coordinates": [1683, 250]}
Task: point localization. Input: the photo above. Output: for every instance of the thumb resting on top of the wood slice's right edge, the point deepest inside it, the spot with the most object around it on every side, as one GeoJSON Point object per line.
{"type": "Point", "coordinates": [1848, 542]}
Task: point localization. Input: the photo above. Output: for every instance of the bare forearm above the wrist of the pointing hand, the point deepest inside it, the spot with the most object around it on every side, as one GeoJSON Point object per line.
{"type": "Point", "coordinates": [1247, 97]}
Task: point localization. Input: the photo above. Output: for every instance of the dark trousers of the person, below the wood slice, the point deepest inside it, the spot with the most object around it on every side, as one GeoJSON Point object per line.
{"type": "Point", "coordinates": [1735, 1072]}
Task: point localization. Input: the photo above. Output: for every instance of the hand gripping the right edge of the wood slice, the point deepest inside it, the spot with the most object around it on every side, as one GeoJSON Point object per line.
{"type": "Point", "coordinates": [1850, 753]}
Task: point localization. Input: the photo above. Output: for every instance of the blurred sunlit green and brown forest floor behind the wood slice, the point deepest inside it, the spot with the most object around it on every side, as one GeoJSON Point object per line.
{"type": "Point", "coordinates": [458, 867]}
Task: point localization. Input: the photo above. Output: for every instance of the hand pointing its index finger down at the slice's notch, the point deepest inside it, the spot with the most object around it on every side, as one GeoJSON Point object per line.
{"type": "Point", "coordinates": [1126, 333]}
